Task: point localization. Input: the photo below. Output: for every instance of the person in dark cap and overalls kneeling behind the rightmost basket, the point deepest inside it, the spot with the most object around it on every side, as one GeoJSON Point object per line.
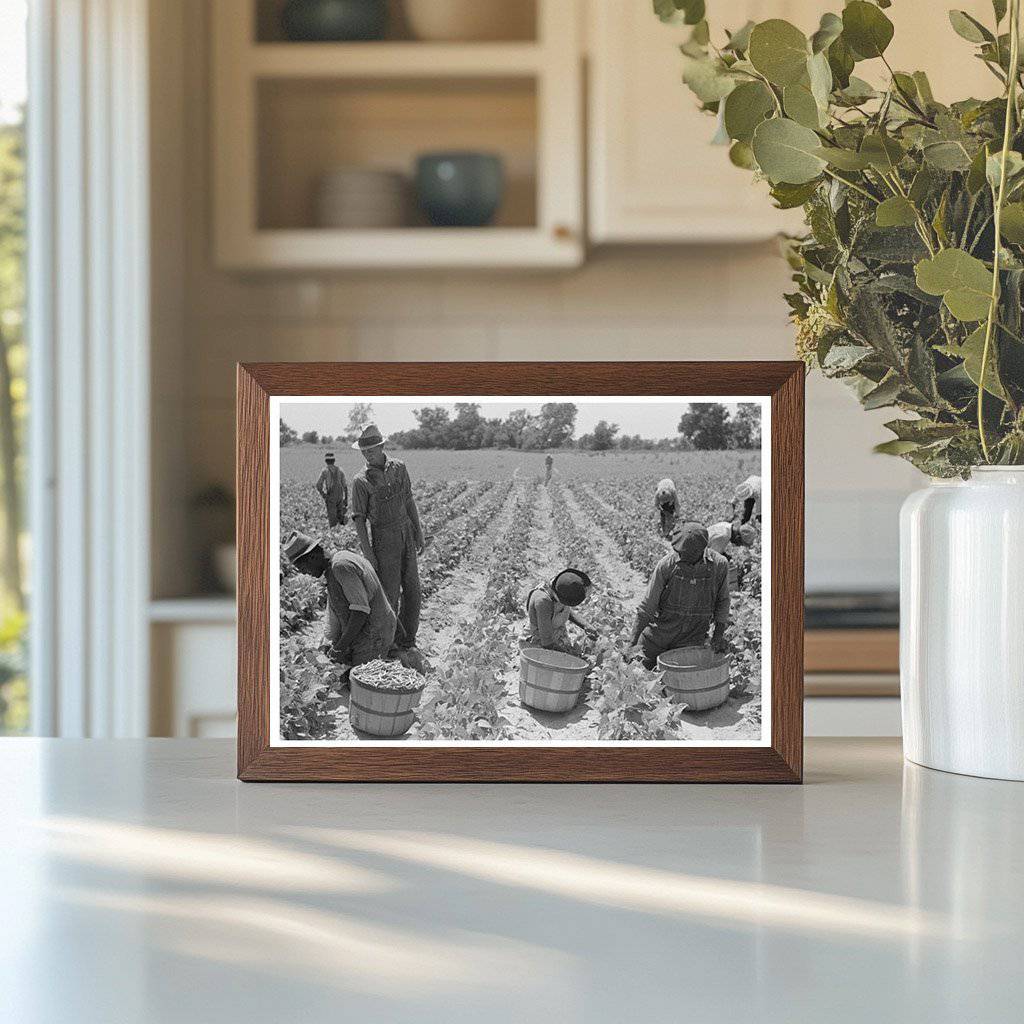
{"type": "Point", "coordinates": [689, 591]}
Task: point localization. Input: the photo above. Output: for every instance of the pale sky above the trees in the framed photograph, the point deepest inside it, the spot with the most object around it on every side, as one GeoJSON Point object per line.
{"type": "Point", "coordinates": [650, 419]}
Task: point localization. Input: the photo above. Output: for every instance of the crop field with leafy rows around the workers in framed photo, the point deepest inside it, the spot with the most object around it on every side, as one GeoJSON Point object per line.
{"type": "Point", "coordinates": [494, 532]}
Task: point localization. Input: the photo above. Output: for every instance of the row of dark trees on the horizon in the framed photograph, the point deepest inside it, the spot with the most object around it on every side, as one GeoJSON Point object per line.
{"type": "Point", "coordinates": [708, 426]}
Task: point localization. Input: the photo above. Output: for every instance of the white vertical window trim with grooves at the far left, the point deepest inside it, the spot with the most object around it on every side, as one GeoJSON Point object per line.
{"type": "Point", "coordinates": [89, 335]}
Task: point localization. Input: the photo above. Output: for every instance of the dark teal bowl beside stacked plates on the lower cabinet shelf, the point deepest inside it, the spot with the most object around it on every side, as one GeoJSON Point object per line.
{"type": "Point", "coordinates": [460, 190]}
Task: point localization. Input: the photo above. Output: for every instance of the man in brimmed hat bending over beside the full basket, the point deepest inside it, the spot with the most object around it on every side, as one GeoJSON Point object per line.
{"type": "Point", "coordinates": [360, 624]}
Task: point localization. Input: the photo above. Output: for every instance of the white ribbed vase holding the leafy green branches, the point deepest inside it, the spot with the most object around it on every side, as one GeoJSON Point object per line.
{"type": "Point", "coordinates": [962, 624]}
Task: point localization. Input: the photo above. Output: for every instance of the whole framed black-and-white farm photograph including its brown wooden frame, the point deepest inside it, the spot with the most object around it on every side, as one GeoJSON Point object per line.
{"type": "Point", "coordinates": [521, 572]}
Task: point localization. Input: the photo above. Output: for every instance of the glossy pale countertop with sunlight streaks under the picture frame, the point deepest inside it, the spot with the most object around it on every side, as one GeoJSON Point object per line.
{"type": "Point", "coordinates": [141, 882]}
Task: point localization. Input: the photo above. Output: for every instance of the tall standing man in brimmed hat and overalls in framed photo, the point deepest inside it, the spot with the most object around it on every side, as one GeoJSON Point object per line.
{"type": "Point", "coordinates": [382, 501]}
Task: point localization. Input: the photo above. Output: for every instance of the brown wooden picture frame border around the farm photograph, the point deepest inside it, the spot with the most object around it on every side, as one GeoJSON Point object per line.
{"type": "Point", "coordinates": [781, 760]}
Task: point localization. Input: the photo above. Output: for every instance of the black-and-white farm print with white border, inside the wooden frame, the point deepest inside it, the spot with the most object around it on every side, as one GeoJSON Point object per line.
{"type": "Point", "coordinates": [534, 571]}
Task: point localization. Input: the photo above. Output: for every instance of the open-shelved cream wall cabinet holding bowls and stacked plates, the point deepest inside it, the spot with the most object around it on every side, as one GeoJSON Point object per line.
{"type": "Point", "coordinates": [286, 115]}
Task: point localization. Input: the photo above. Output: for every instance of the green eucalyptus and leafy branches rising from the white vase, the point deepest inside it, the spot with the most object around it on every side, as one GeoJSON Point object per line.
{"type": "Point", "coordinates": [910, 280]}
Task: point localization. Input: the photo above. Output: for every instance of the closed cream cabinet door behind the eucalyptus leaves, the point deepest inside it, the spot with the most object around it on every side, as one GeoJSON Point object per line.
{"type": "Point", "coordinates": [654, 176]}
